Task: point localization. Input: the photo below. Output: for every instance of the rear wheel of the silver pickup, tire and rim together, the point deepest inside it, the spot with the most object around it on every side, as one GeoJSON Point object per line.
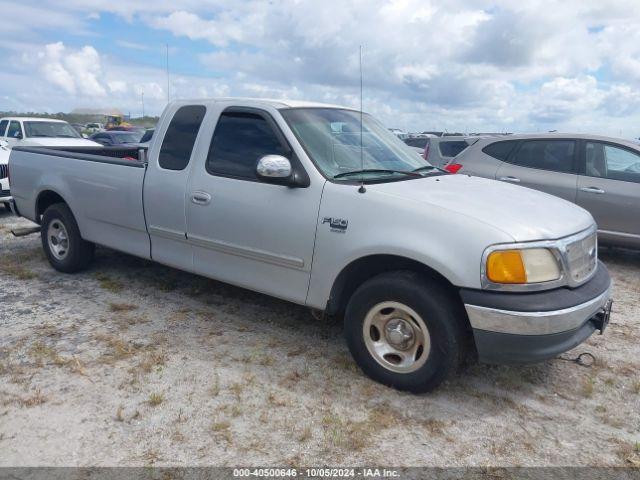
{"type": "Point", "coordinates": [64, 247]}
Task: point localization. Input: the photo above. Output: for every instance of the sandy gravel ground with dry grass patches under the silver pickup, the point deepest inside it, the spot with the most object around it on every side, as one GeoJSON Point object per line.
{"type": "Point", "coordinates": [132, 363]}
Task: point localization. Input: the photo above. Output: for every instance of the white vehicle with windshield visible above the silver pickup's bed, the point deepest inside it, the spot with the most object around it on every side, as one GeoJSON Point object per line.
{"type": "Point", "coordinates": [26, 131]}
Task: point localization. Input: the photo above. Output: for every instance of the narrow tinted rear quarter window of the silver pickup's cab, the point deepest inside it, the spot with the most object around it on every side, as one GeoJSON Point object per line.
{"type": "Point", "coordinates": [180, 137]}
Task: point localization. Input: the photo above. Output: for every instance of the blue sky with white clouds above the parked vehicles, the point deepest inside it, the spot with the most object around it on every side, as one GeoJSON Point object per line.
{"type": "Point", "coordinates": [500, 65]}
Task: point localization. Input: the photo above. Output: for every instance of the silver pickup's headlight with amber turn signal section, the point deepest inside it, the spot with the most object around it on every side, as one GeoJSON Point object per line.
{"type": "Point", "coordinates": [521, 266]}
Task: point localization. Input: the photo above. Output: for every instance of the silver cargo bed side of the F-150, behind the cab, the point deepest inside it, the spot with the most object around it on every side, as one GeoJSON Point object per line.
{"type": "Point", "coordinates": [102, 185]}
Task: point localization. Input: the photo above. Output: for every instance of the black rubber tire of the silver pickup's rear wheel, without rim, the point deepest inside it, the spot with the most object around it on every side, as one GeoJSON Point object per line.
{"type": "Point", "coordinates": [79, 252]}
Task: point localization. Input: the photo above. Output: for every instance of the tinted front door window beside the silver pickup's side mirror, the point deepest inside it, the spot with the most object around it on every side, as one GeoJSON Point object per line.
{"type": "Point", "coordinates": [239, 141]}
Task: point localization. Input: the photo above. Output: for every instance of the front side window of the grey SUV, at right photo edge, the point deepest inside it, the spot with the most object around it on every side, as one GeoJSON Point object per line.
{"type": "Point", "coordinates": [608, 161]}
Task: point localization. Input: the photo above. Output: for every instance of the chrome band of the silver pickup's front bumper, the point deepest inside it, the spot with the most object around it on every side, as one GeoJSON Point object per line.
{"type": "Point", "coordinates": [535, 323]}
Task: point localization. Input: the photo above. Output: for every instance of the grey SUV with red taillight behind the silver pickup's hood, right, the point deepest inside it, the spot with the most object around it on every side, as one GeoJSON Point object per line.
{"type": "Point", "coordinates": [600, 174]}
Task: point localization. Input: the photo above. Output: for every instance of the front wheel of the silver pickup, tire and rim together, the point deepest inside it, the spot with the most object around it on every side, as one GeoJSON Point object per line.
{"type": "Point", "coordinates": [405, 331]}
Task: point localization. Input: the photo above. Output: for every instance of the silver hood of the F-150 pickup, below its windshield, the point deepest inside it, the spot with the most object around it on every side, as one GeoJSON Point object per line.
{"type": "Point", "coordinates": [520, 212]}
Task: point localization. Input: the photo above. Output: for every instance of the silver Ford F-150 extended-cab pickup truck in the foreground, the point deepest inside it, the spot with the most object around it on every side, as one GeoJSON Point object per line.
{"type": "Point", "coordinates": [305, 202]}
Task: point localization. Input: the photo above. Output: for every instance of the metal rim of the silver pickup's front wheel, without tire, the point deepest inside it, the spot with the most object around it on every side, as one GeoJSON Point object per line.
{"type": "Point", "coordinates": [396, 337]}
